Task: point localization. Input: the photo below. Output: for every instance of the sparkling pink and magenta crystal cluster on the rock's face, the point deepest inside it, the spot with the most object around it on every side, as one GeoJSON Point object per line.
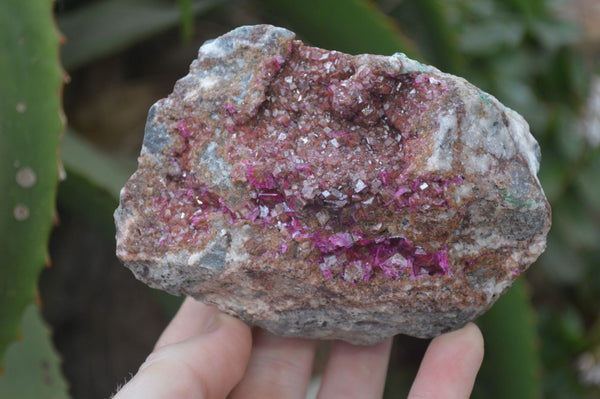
{"type": "Point", "coordinates": [324, 151]}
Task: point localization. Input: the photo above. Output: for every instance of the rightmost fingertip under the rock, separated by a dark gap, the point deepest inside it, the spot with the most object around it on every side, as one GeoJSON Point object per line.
{"type": "Point", "coordinates": [450, 365]}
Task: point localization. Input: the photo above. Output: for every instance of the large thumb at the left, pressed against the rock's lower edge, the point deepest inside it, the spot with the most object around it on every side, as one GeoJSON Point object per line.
{"type": "Point", "coordinates": [207, 364]}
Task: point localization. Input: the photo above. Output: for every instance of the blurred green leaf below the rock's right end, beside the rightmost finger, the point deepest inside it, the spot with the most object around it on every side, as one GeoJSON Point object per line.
{"type": "Point", "coordinates": [511, 367]}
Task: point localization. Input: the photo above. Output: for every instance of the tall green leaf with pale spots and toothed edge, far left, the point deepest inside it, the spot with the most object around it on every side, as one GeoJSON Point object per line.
{"type": "Point", "coordinates": [31, 82]}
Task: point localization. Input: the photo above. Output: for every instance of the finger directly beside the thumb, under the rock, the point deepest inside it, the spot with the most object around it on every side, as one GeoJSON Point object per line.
{"type": "Point", "coordinates": [278, 368]}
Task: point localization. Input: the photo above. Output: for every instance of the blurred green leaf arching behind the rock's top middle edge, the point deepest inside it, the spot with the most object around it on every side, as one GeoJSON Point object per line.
{"type": "Point", "coordinates": [351, 26]}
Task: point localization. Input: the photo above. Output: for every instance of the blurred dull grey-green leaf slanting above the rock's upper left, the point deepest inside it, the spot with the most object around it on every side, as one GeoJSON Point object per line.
{"type": "Point", "coordinates": [106, 27]}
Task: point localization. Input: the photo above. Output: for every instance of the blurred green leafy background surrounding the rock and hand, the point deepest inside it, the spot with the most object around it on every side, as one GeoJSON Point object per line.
{"type": "Point", "coordinates": [75, 324]}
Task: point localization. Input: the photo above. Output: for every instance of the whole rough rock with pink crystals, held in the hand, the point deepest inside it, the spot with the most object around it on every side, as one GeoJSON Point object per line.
{"type": "Point", "coordinates": [319, 194]}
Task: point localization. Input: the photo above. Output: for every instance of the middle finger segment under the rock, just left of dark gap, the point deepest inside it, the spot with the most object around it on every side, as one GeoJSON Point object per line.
{"type": "Point", "coordinates": [356, 371]}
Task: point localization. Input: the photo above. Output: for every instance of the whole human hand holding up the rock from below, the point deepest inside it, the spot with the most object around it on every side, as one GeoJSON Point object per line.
{"type": "Point", "coordinates": [206, 354]}
